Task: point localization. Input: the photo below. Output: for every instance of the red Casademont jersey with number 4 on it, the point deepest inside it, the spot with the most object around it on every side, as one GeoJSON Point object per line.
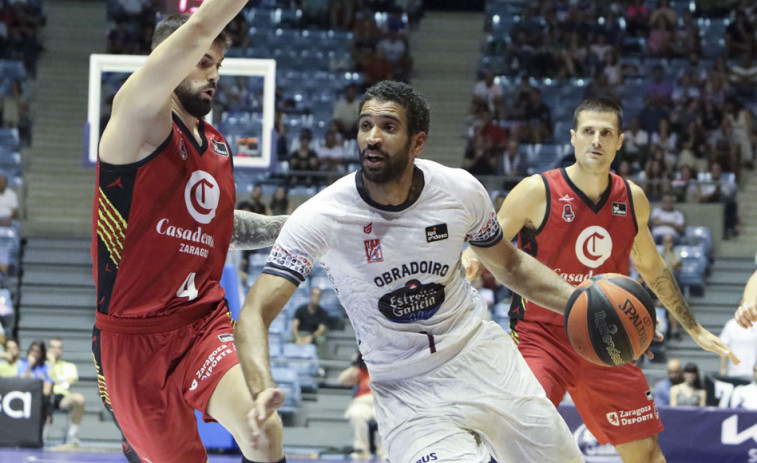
{"type": "Point", "coordinates": [162, 226]}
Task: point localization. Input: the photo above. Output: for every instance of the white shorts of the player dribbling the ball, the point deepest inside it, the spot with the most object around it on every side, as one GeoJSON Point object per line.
{"type": "Point", "coordinates": [484, 406]}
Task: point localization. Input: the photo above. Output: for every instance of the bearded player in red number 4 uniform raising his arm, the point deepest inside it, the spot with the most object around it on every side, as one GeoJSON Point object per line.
{"type": "Point", "coordinates": [163, 222]}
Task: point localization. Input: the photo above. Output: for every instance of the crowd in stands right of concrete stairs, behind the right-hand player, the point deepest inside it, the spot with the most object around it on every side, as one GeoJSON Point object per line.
{"type": "Point", "coordinates": [684, 71]}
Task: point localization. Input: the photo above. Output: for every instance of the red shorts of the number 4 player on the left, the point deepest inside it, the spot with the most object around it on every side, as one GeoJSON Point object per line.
{"type": "Point", "coordinates": [152, 383]}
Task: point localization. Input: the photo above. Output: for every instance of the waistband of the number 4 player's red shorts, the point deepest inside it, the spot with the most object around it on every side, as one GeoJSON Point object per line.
{"type": "Point", "coordinates": [149, 325]}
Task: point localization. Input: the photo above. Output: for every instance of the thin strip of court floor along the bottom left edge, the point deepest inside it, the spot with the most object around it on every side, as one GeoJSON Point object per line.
{"type": "Point", "coordinates": [86, 455]}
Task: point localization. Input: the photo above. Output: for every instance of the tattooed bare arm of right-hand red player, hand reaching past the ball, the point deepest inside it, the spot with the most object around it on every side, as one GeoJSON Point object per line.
{"type": "Point", "coordinates": [658, 276]}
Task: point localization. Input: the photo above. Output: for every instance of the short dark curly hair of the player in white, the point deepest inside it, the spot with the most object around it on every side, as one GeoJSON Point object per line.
{"type": "Point", "coordinates": [416, 107]}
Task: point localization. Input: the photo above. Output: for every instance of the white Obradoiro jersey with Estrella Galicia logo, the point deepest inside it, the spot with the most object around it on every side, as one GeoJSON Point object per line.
{"type": "Point", "coordinates": [396, 269]}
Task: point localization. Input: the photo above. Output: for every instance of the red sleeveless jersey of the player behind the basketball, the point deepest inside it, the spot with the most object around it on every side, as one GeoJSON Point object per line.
{"type": "Point", "coordinates": [578, 238]}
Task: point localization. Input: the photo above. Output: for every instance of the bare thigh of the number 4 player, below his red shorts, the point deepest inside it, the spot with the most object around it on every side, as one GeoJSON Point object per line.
{"type": "Point", "coordinates": [230, 404]}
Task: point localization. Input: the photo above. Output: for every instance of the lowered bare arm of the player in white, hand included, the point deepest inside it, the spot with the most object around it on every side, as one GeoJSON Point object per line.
{"type": "Point", "coordinates": [265, 301]}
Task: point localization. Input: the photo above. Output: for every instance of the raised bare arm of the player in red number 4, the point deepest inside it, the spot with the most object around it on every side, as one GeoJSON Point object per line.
{"type": "Point", "coordinates": [141, 115]}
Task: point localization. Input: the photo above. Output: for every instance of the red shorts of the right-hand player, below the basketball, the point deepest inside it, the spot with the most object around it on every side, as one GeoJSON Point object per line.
{"type": "Point", "coordinates": [615, 403]}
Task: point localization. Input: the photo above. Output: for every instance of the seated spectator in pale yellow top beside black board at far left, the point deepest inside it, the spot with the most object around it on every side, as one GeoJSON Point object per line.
{"type": "Point", "coordinates": [64, 375]}
